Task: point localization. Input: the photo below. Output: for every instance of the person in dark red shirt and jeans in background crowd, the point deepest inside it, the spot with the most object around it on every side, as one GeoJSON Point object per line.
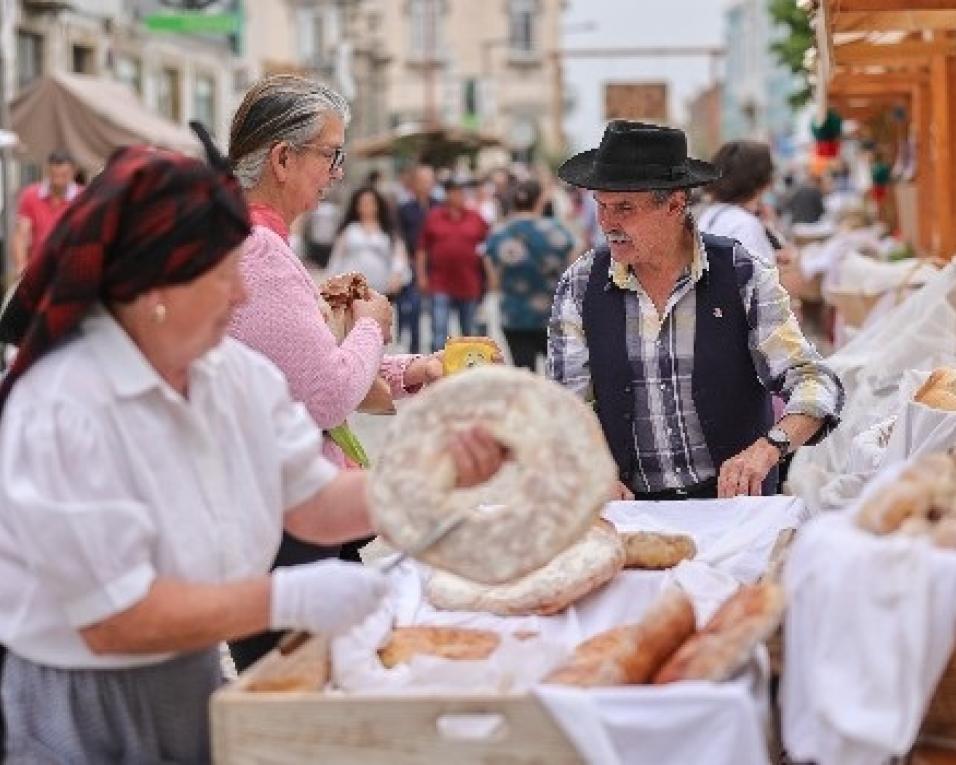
{"type": "Point", "coordinates": [447, 263]}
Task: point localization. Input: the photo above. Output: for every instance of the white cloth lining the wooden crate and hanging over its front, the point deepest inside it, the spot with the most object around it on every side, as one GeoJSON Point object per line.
{"type": "Point", "coordinates": [642, 725]}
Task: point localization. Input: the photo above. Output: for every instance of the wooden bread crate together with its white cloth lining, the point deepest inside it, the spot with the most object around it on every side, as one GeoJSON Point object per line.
{"type": "Point", "coordinates": [434, 710]}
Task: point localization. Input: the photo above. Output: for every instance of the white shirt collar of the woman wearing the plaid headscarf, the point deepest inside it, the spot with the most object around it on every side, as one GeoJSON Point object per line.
{"type": "Point", "coordinates": [124, 364]}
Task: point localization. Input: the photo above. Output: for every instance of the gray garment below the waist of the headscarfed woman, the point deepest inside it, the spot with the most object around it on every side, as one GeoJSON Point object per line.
{"type": "Point", "coordinates": [143, 715]}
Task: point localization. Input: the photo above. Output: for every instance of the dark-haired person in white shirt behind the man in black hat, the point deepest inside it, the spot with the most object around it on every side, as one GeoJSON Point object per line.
{"type": "Point", "coordinates": [736, 209]}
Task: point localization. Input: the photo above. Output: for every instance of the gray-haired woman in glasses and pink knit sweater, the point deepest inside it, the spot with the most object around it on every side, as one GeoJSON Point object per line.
{"type": "Point", "coordinates": [286, 148]}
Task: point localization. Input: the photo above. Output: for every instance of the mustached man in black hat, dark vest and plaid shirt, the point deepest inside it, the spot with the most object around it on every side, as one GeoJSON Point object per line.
{"type": "Point", "coordinates": [679, 337]}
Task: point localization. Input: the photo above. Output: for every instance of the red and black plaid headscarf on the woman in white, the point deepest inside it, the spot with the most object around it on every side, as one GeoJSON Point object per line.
{"type": "Point", "coordinates": [151, 219]}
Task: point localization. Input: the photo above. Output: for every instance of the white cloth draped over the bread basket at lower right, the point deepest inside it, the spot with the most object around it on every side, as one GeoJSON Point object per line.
{"type": "Point", "coordinates": [870, 627]}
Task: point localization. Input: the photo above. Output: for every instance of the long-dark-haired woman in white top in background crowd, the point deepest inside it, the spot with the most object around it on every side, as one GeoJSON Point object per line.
{"type": "Point", "coordinates": [367, 242]}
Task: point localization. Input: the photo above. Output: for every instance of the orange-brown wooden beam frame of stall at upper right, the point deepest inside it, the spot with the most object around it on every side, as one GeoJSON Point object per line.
{"type": "Point", "coordinates": [870, 75]}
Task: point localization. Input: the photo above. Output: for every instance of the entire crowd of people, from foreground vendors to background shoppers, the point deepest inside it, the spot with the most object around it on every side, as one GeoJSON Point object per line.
{"type": "Point", "coordinates": [174, 424]}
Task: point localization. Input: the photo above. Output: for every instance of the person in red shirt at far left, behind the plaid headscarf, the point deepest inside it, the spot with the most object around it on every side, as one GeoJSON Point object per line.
{"type": "Point", "coordinates": [41, 205]}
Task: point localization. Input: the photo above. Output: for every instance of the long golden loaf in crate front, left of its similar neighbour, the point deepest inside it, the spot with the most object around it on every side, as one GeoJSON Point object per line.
{"type": "Point", "coordinates": [631, 653]}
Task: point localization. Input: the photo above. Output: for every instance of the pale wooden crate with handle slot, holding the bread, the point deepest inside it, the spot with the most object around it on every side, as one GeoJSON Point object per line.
{"type": "Point", "coordinates": [304, 726]}
